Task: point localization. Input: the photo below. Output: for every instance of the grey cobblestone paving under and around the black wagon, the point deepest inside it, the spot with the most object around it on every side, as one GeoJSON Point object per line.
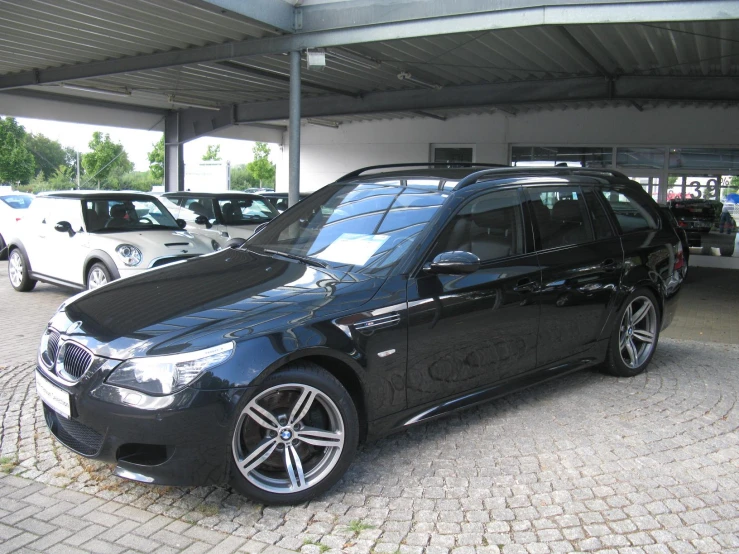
{"type": "Point", "coordinates": [585, 463]}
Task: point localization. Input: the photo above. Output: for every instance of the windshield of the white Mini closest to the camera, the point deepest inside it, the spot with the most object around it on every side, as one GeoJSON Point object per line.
{"type": "Point", "coordinates": [120, 214]}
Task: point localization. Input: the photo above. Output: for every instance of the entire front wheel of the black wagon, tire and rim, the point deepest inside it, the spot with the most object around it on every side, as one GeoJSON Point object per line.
{"type": "Point", "coordinates": [270, 431]}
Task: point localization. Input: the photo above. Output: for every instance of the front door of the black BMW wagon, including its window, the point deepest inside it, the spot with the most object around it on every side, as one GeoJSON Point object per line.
{"type": "Point", "coordinates": [467, 331]}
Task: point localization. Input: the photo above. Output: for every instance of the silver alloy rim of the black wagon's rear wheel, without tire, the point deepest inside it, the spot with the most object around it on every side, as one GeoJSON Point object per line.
{"type": "Point", "coordinates": [637, 332]}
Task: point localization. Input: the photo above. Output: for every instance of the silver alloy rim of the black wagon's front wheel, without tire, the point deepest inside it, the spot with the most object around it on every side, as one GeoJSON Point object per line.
{"type": "Point", "coordinates": [288, 438]}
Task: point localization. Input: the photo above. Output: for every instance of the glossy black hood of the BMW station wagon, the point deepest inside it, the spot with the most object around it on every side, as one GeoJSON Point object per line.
{"type": "Point", "coordinates": [228, 295]}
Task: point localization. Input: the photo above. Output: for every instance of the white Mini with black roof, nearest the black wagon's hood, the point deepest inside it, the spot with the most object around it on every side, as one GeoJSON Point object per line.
{"type": "Point", "coordinates": [85, 239]}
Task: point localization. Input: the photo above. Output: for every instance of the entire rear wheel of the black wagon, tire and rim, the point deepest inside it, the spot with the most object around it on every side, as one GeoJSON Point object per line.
{"type": "Point", "coordinates": [629, 348]}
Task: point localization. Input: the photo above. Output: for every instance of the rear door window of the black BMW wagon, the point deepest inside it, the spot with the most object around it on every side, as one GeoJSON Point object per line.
{"type": "Point", "coordinates": [561, 216]}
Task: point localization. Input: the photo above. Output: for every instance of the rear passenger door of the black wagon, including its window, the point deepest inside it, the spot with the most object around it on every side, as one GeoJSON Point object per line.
{"type": "Point", "coordinates": [581, 260]}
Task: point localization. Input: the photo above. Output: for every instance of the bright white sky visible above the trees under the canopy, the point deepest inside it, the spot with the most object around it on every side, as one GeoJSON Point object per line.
{"type": "Point", "coordinates": [137, 143]}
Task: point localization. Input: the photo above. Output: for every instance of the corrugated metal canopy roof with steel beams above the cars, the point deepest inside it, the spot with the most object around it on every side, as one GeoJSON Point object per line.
{"type": "Point", "coordinates": [512, 56]}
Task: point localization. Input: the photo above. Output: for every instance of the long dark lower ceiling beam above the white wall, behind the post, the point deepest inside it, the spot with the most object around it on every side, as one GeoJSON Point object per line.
{"type": "Point", "coordinates": [503, 94]}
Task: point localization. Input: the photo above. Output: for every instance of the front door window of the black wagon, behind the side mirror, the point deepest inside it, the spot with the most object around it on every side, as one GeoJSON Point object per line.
{"type": "Point", "coordinates": [490, 226]}
